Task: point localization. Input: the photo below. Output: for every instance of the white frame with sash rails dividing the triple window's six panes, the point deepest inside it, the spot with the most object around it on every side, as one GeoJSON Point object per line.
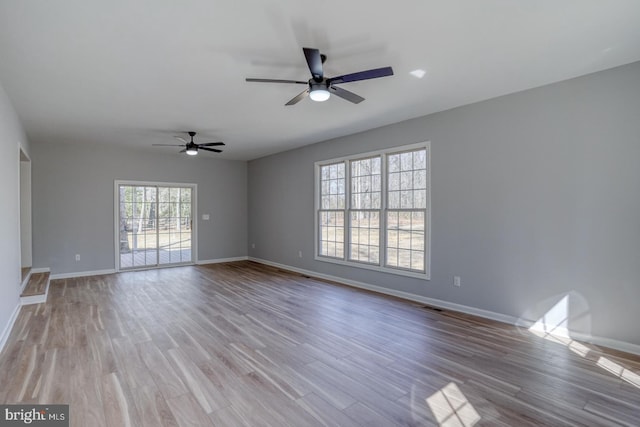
{"type": "Point", "coordinates": [384, 211]}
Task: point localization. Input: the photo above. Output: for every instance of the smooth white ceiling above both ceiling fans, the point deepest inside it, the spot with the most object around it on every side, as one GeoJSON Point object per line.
{"type": "Point", "coordinates": [135, 72]}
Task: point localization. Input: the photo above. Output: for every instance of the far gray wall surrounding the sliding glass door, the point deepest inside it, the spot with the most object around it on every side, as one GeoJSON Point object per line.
{"type": "Point", "coordinates": [73, 202]}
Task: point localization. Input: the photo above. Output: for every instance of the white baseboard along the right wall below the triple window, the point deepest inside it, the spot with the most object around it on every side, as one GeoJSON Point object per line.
{"type": "Point", "coordinates": [504, 318]}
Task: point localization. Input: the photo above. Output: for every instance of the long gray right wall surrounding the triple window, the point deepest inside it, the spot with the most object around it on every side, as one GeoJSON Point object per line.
{"type": "Point", "coordinates": [535, 196]}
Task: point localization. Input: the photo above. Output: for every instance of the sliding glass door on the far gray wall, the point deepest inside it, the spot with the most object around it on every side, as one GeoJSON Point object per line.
{"type": "Point", "coordinates": [154, 224]}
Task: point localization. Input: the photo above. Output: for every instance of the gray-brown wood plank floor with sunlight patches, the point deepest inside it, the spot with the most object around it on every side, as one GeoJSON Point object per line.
{"type": "Point", "coordinates": [242, 344]}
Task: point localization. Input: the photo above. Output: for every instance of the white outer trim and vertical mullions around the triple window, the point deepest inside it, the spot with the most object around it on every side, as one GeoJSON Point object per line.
{"type": "Point", "coordinates": [383, 235]}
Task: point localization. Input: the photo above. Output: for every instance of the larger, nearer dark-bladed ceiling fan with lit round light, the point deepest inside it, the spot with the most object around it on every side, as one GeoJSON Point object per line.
{"type": "Point", "coordinates": [319, 87]}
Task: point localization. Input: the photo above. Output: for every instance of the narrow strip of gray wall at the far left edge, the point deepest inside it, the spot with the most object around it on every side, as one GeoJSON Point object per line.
{"type": "Point", "coordinates": [11, 137]}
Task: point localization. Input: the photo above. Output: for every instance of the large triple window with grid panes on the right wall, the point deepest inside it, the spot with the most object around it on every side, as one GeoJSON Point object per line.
{"type": "Point", "coordinates": [372, 210]}
